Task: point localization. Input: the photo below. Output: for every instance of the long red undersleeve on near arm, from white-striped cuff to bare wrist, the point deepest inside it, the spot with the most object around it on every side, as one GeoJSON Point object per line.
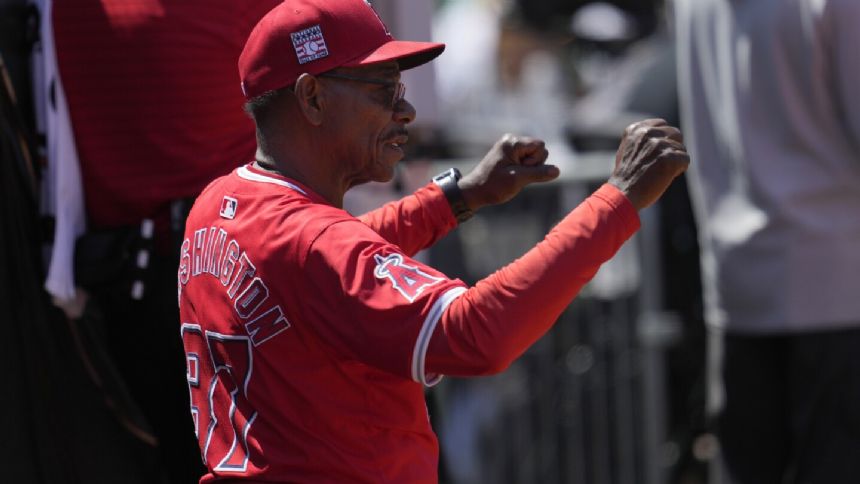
{"type": "Point", "coordinates": [497, 320]}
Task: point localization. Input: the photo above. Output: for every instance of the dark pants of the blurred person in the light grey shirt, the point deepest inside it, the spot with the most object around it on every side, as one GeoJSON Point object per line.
{"type": "Point", "coordinates": [791, 408]}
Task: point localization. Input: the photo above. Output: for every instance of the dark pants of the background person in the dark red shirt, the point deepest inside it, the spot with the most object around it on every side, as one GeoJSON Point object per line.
{"type": "Point", "coordinates": [134, 344]}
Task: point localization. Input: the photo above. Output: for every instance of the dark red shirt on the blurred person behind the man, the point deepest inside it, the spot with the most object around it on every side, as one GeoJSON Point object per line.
{"type": "Point", "coordinates": [154, 98]}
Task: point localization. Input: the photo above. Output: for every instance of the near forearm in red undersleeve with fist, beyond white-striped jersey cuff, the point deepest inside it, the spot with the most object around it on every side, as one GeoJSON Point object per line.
{"type": "Point", "coordinates": [493, 323]}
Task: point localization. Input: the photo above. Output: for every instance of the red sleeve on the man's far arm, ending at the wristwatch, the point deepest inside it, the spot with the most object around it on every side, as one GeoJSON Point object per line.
{"type": "Point", "coordinates": [414, 222]}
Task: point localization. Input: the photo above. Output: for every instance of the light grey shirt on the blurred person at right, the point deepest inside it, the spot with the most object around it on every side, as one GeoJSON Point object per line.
{"type": "Point", "coordinates": [771, 116]}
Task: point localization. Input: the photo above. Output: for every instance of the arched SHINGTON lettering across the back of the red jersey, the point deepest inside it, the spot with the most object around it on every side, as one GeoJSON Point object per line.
{"type": "Point", "coordinates": [211, 253]}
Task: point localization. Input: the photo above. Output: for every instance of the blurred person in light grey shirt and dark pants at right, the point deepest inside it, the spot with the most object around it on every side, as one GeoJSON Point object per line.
{"type": "Point", "coordinates": [771, 116]}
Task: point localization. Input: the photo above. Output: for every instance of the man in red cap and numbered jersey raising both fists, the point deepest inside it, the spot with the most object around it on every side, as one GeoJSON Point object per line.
{"type": "Point", "coordinates": [310, 334]}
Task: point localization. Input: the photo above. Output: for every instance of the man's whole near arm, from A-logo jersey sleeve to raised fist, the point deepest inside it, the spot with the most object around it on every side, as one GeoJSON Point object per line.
{"type": "Point", "coordinates": [410, 319]}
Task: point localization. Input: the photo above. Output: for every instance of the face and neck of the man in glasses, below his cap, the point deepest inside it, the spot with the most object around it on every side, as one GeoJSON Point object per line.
{"type": "Point", "coordinates": [351, 128]}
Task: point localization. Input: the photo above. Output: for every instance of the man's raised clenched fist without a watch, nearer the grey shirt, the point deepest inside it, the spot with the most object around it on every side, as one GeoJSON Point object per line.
{"type": "Point", "coordinates": [650, 156]}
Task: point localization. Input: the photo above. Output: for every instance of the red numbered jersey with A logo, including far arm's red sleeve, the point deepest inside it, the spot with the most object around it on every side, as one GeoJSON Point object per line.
{"type": "Point", "coordinates": [306, 331]}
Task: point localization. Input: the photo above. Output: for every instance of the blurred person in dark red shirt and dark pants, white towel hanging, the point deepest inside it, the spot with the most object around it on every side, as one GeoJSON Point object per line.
{"type": "Point", "coordinates": [156, 113]}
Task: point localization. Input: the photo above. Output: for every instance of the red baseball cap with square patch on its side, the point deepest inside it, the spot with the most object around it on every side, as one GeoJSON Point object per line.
{"type": "Point", "coordinates": [315, 36]}
